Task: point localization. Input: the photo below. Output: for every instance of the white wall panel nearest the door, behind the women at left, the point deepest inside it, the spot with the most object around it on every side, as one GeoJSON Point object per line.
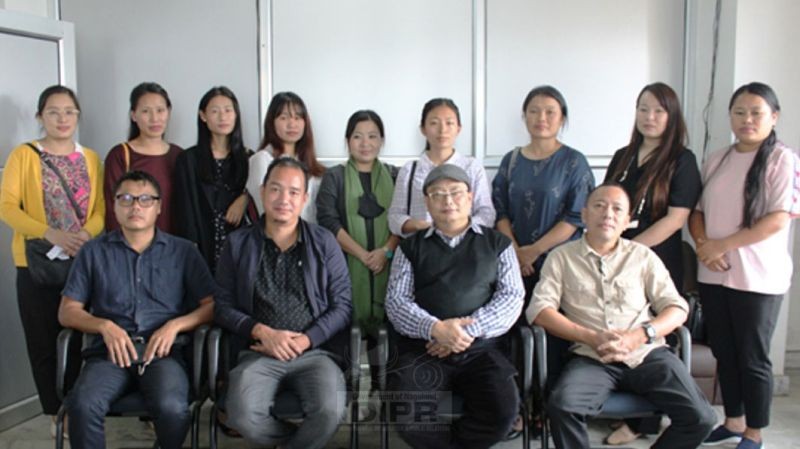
{"type": "Point", "coordinates": [187, 46]}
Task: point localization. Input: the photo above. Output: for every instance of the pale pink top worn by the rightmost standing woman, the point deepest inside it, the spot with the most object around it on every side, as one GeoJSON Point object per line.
{"type": "Point", "coordinates": [763, 267]}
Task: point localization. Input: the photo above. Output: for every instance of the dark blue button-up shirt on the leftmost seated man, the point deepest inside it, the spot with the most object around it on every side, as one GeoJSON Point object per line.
{"type": "Point", "coordinates": [139, 292]}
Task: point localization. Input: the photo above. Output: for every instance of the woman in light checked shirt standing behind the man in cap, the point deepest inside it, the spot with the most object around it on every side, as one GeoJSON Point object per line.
{"type": "Point", "coordinates": [440, 124]}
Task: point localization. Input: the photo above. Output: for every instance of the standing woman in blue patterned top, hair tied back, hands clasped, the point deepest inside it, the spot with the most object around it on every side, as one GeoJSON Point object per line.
{"type": "Point", "coordinates": [540, 189]}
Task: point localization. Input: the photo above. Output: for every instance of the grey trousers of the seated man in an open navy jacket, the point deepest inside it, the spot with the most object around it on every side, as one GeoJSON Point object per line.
{"type": "Point", "coordinates": [257, 379]}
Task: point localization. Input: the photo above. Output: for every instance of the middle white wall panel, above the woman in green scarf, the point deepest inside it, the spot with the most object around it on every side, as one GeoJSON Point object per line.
{"type": "Point", "coordinates": [390, 56]}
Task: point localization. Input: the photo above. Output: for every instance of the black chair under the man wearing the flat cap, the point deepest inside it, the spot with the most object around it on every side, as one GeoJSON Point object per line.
{"type": "Point", "coordinates": [451, 408]}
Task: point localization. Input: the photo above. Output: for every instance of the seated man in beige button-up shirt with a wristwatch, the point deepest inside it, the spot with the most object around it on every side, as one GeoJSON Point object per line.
{"type": "Point", "coordinates": [606, 287]}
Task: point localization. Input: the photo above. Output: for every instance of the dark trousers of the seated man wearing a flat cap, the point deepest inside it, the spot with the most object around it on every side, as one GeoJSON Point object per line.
{"type": "Point", "coordinates": [483, 378]}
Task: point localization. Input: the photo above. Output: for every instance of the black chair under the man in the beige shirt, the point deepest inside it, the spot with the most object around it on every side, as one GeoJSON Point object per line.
{"type": "Point", "coordinates": [620, 405]}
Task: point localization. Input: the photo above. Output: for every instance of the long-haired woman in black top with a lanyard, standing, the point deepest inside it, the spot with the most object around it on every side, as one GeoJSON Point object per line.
{"type": "Point", "coordinates": [661, 178]}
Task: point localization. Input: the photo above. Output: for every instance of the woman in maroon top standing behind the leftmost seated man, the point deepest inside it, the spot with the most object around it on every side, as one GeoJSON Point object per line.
{"type": "Point", "coordinates": [145, 150]}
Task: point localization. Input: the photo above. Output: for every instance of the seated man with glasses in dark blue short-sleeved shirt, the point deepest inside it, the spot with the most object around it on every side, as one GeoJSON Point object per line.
{"type": "Point", "coordinates": [135, 290]}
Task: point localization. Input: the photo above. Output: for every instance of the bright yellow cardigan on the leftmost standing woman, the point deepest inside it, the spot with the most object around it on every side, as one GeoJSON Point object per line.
{"type": "Point", "coordinates": [22, 202]}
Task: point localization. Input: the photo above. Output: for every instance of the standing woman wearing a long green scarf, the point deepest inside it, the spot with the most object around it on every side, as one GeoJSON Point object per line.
{"type": "Point", "coordinates": [353, 203]}
